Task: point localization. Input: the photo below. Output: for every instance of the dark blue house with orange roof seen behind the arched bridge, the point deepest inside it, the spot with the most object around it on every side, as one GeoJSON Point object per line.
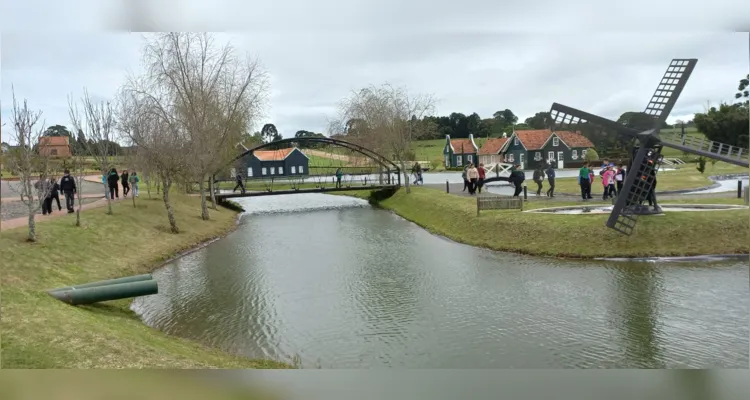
{"type": "Point", "coordinates": [274, 163]}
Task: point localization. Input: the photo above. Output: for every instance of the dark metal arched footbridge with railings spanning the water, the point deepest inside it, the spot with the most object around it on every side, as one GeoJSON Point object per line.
{"type": "Point", "coordinates": [305, 165]}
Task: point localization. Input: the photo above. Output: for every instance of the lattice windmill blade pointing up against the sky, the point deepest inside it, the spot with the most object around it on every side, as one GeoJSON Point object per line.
{"type": "Point", "coordinates": [669, 89]}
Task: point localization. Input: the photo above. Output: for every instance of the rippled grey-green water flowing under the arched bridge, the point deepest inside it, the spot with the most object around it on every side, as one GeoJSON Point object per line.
{"type": "Point", "coordinates": [348, 286]}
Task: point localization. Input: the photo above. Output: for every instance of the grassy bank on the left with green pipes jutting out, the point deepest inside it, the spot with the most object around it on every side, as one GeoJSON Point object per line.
{"type": "Point", "coordinates": [41, 332]}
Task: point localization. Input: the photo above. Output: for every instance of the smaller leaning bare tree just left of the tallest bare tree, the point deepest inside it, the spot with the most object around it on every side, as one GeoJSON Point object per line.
{"type": "Point", "coordinates": [157, 137]}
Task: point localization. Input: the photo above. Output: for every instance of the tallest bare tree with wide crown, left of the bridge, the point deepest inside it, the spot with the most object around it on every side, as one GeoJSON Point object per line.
{"type": "Point", "coordinates": [214, 94]}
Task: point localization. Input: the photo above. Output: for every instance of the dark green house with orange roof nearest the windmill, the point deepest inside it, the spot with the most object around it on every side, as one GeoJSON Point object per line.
{"type": "Point", "coordinates": [538, 147]}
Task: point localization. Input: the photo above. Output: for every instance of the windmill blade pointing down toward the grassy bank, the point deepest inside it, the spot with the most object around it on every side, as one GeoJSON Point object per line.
{"type": "Point", "coordinates": [638, 183]}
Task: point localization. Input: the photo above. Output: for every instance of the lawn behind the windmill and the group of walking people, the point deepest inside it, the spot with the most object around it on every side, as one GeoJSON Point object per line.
{"type": "Point", "coordinates": [684, 178]}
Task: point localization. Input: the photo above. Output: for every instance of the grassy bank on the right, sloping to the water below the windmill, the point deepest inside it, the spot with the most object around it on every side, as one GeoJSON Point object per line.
{"type": "Point", "coordinates": [581, 236]}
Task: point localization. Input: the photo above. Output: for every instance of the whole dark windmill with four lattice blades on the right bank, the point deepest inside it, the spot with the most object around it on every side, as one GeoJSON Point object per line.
{"type": "Point", "coordinates": [646, 155]}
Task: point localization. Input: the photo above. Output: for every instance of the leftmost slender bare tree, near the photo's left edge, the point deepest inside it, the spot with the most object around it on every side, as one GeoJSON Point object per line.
{"type": "Point", "coordinates": [27, 162]}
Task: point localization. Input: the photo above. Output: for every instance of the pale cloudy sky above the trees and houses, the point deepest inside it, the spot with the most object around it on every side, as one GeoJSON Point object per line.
{"type": "Point", "coordinates": [472, 56]}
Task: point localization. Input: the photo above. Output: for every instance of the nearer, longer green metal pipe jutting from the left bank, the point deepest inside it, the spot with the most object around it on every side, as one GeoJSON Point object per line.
{"type": "Point", "coordinates": [89, 295]}
